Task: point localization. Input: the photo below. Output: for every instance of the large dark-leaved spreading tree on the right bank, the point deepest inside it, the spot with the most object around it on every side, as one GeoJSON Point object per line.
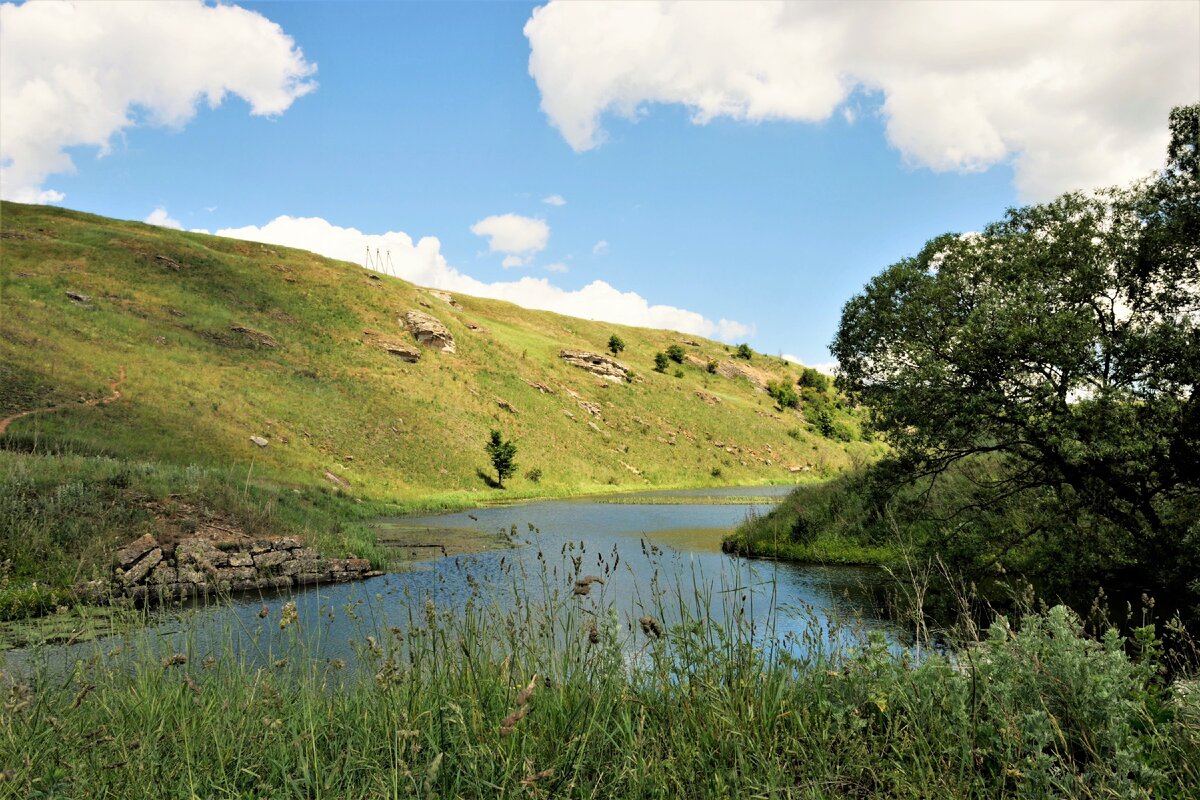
{"type": "Point", "coordinates": [1061, 345]}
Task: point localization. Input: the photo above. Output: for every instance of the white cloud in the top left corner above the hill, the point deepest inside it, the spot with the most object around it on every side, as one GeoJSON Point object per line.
{"type": "Point", "coordinates": [80, 74]}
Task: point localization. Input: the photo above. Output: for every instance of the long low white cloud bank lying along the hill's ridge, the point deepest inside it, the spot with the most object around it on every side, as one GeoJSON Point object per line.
{"type": "Point", "coordinates": [423, 263]}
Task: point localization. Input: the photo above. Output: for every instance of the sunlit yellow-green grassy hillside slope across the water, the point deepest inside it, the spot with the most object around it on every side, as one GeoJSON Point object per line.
{"type": "Point", "coordinates": [308, 375]}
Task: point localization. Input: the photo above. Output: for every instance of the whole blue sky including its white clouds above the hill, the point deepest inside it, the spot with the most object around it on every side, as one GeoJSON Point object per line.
{"type": "Point", "coordinates": [734, 171]}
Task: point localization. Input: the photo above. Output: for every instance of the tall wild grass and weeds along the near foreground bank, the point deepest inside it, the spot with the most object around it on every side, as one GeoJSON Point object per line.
{"type": "Point", "coordinates": [565, 699]}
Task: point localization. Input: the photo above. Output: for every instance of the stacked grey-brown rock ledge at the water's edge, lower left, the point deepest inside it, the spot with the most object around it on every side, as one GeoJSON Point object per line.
{"type": "Point", "coordinates": [146, 570]}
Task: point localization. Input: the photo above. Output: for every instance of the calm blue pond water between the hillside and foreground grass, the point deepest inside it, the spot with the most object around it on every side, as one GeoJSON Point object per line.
{"type": "Point", "coordinates": [656, 555]}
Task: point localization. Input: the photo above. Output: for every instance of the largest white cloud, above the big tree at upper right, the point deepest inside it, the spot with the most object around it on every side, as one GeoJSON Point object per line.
{"type": "Point", "coordinates": [1076, 95]}
